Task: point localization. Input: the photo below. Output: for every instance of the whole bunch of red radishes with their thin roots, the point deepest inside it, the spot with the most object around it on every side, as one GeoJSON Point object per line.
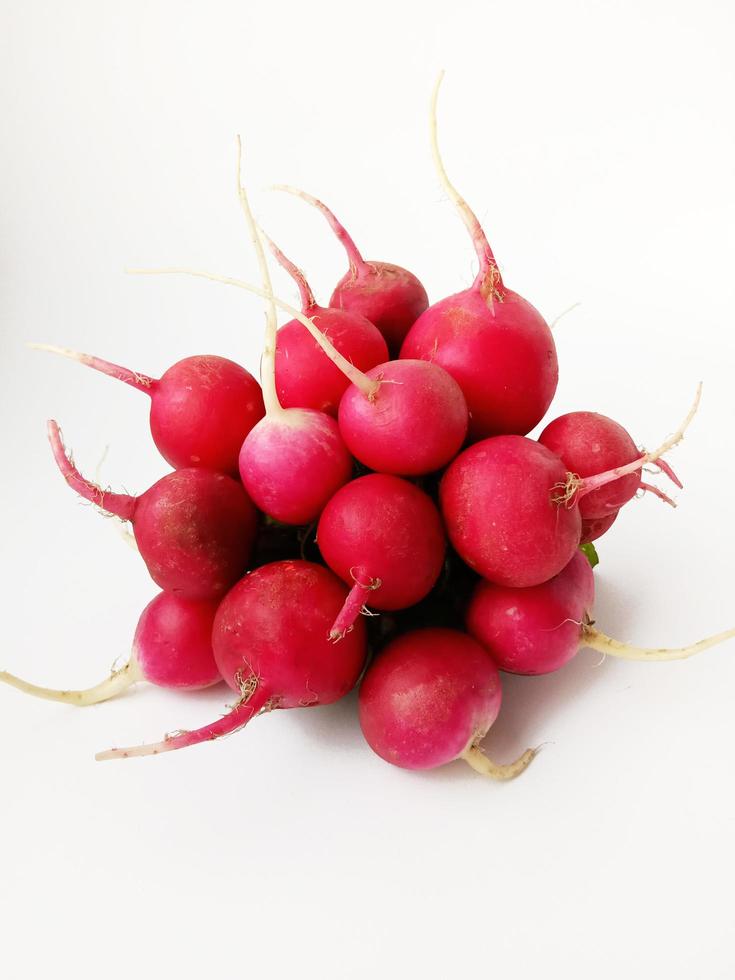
{"type": "Point", "coordinates": [375, 513]}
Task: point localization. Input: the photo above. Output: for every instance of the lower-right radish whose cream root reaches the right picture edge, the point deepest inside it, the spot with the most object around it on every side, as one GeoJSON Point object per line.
{"type": "Point", "coordinates": [538, 630]}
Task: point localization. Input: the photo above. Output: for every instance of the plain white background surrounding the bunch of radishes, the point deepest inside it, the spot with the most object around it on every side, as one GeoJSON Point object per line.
{"type": "Point", "coordinates": [596, 142]}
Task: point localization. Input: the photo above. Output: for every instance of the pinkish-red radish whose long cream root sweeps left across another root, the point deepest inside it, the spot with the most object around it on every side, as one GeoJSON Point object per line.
{"type": "Point", "coordinates": [406, 417]}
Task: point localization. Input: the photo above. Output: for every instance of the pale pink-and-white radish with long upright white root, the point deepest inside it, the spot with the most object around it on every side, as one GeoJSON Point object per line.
{"type": "Point", "coordinates": [294, 459]}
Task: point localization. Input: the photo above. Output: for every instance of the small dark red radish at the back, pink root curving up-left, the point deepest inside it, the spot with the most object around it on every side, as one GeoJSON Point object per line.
{"type": "Point", "coordinates": [390, 297]}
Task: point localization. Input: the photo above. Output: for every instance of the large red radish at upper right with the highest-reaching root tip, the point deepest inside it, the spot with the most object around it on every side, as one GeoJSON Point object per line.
{"type": "Point", "coordinates": [491, 340]}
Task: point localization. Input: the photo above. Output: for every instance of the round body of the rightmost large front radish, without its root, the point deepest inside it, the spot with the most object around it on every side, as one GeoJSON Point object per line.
{"type": "Point", "coordinates": [499, 503]}
